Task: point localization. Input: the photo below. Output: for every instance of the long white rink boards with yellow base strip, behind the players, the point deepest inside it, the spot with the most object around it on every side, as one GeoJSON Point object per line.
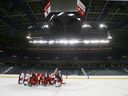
{"type": "Point", "coordinates": [73, 77]}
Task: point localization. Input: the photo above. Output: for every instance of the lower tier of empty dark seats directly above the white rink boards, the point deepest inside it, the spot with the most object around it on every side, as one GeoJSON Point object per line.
{"type": "Point", "coordinates": [75, 71]}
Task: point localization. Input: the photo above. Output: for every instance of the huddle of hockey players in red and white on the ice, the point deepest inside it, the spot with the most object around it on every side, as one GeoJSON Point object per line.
{"type": "Point", "coordinates": [45, 79]}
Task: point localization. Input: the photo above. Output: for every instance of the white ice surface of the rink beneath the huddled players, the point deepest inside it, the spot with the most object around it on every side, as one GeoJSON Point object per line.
{"type": "Point", "coordinates": [73, 87]}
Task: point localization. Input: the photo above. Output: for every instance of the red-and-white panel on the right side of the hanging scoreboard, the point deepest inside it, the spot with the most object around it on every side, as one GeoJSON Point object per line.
{"type": "Point", "coordinates": [81, 8]}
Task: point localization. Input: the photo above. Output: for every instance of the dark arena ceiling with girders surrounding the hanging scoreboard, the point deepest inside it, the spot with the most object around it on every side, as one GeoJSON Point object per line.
{"type": "Point", "coordinates": [16, 16]}
